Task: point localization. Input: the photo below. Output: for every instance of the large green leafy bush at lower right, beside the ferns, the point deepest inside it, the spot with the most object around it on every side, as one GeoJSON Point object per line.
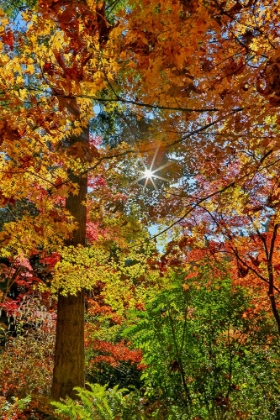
{"type": "Point", "coordinates": [208, 351]}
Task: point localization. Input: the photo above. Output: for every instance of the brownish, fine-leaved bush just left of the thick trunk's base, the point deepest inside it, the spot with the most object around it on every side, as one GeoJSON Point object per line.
{"type": "Point", "coordinates": [27, 359]}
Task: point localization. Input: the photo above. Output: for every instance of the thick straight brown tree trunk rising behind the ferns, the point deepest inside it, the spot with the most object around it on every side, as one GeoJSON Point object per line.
{"type": "Point", "coordinates": [69, 358]}
